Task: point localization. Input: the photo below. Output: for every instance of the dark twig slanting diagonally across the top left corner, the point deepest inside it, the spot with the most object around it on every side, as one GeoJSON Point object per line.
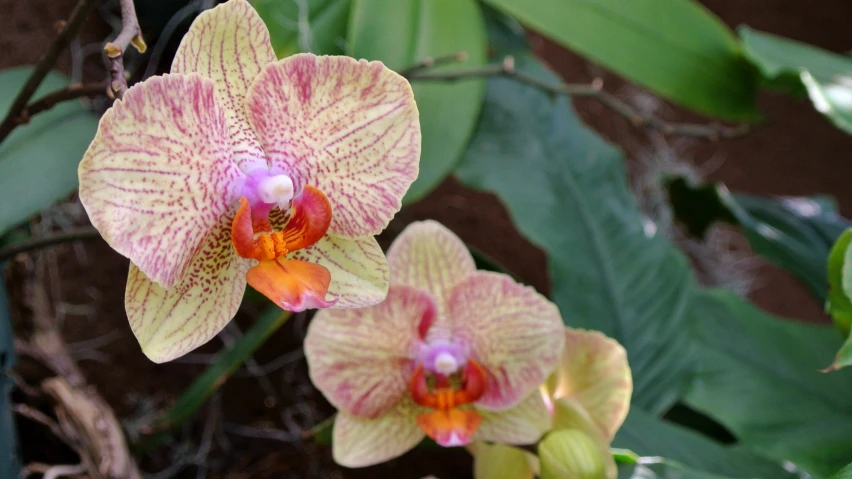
{"type": "Point", "coordinates": [45, 64]}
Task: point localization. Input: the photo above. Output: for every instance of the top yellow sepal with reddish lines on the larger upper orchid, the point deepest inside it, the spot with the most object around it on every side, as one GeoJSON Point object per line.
{"type": "Point", "coordinates": [230, 45]}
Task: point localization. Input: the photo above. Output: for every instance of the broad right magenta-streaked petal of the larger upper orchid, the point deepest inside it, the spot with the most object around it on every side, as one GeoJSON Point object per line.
{"type": "Point", "coordinates": [348, 127]}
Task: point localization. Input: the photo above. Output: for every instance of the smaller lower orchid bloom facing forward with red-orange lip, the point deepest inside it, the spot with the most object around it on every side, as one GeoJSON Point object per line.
{"type": "Point", "coordinates": [453, 353]}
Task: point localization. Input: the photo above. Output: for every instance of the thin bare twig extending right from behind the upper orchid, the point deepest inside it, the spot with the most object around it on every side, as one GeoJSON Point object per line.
{"type": "Point", "coordinates": [594, 90]}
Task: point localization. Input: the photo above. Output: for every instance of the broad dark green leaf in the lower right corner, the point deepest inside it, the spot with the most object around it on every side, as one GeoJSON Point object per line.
{"type": "Point", "coordinates": [759, 378]}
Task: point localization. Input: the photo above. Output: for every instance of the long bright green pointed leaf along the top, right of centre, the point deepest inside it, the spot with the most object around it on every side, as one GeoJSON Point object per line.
{"type": "Point", "coordinates": [675, 48]}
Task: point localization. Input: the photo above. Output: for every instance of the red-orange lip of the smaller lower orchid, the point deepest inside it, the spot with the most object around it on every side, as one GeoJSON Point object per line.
{"type": "Point", "coordinates": [453, 422]}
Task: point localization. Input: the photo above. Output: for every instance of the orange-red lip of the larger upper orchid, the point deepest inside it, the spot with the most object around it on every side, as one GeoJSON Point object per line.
{"type": "Point", "coordinates": [292, 284]}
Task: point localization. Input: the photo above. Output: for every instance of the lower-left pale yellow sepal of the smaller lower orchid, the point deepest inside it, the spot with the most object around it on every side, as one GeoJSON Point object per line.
{"type": "Point", "coordinates": [360, 442]}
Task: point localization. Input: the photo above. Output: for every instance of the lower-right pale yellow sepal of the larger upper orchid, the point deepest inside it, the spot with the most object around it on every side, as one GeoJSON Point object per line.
{"type": "Point", "coordinates": [359, 270]}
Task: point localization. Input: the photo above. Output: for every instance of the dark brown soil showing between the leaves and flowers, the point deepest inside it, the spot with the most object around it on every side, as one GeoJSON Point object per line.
{"type": "Point", "coordinates": [797, 153]}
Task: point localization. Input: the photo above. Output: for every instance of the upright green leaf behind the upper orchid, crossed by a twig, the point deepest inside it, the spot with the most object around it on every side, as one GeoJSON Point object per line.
{"type": "Point", "coordinates": [403, 32]}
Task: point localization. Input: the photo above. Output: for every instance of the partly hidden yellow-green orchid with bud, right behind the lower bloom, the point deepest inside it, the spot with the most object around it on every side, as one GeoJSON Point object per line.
{"type": "Point", "coordinates": [588, 397]}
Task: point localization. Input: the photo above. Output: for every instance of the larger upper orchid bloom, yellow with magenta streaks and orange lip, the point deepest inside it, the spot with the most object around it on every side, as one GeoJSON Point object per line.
{"type": "Point", "coordinates": [237, 167]}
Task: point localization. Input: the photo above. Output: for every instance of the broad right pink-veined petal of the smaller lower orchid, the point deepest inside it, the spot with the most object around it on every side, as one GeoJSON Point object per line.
{"type": "Point", "coordinates": [515, 333]}
